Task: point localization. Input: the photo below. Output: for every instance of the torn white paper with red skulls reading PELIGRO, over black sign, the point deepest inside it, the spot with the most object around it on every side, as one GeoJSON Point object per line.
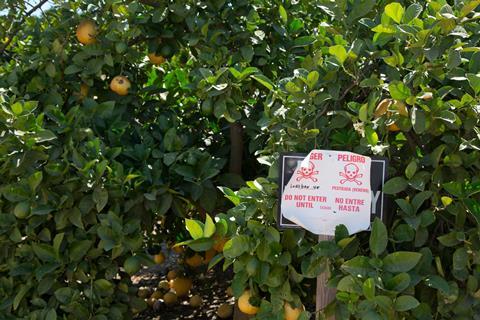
{"type": "Point", "coordinates": [329, 188]}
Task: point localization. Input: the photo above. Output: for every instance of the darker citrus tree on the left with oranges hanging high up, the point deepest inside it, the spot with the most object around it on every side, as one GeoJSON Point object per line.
{"type": "Point", "coordinates": [116, 121]}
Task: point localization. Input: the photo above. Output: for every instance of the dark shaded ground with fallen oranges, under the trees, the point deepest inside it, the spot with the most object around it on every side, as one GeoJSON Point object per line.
{"type": "Point", "coordinates": [211, 286]}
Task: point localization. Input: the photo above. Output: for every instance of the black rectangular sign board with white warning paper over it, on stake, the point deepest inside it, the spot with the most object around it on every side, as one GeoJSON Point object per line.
{"type": "Point", "coordinates": [326, 188]}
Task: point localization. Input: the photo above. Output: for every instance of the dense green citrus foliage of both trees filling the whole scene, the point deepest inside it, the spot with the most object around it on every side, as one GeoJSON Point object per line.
{"type": "Point", "coordinates": [87, 178]}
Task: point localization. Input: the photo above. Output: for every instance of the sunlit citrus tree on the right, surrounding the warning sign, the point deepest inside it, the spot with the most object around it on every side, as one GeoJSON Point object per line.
{"type": "Point", "coordinates": [398, 80]}
